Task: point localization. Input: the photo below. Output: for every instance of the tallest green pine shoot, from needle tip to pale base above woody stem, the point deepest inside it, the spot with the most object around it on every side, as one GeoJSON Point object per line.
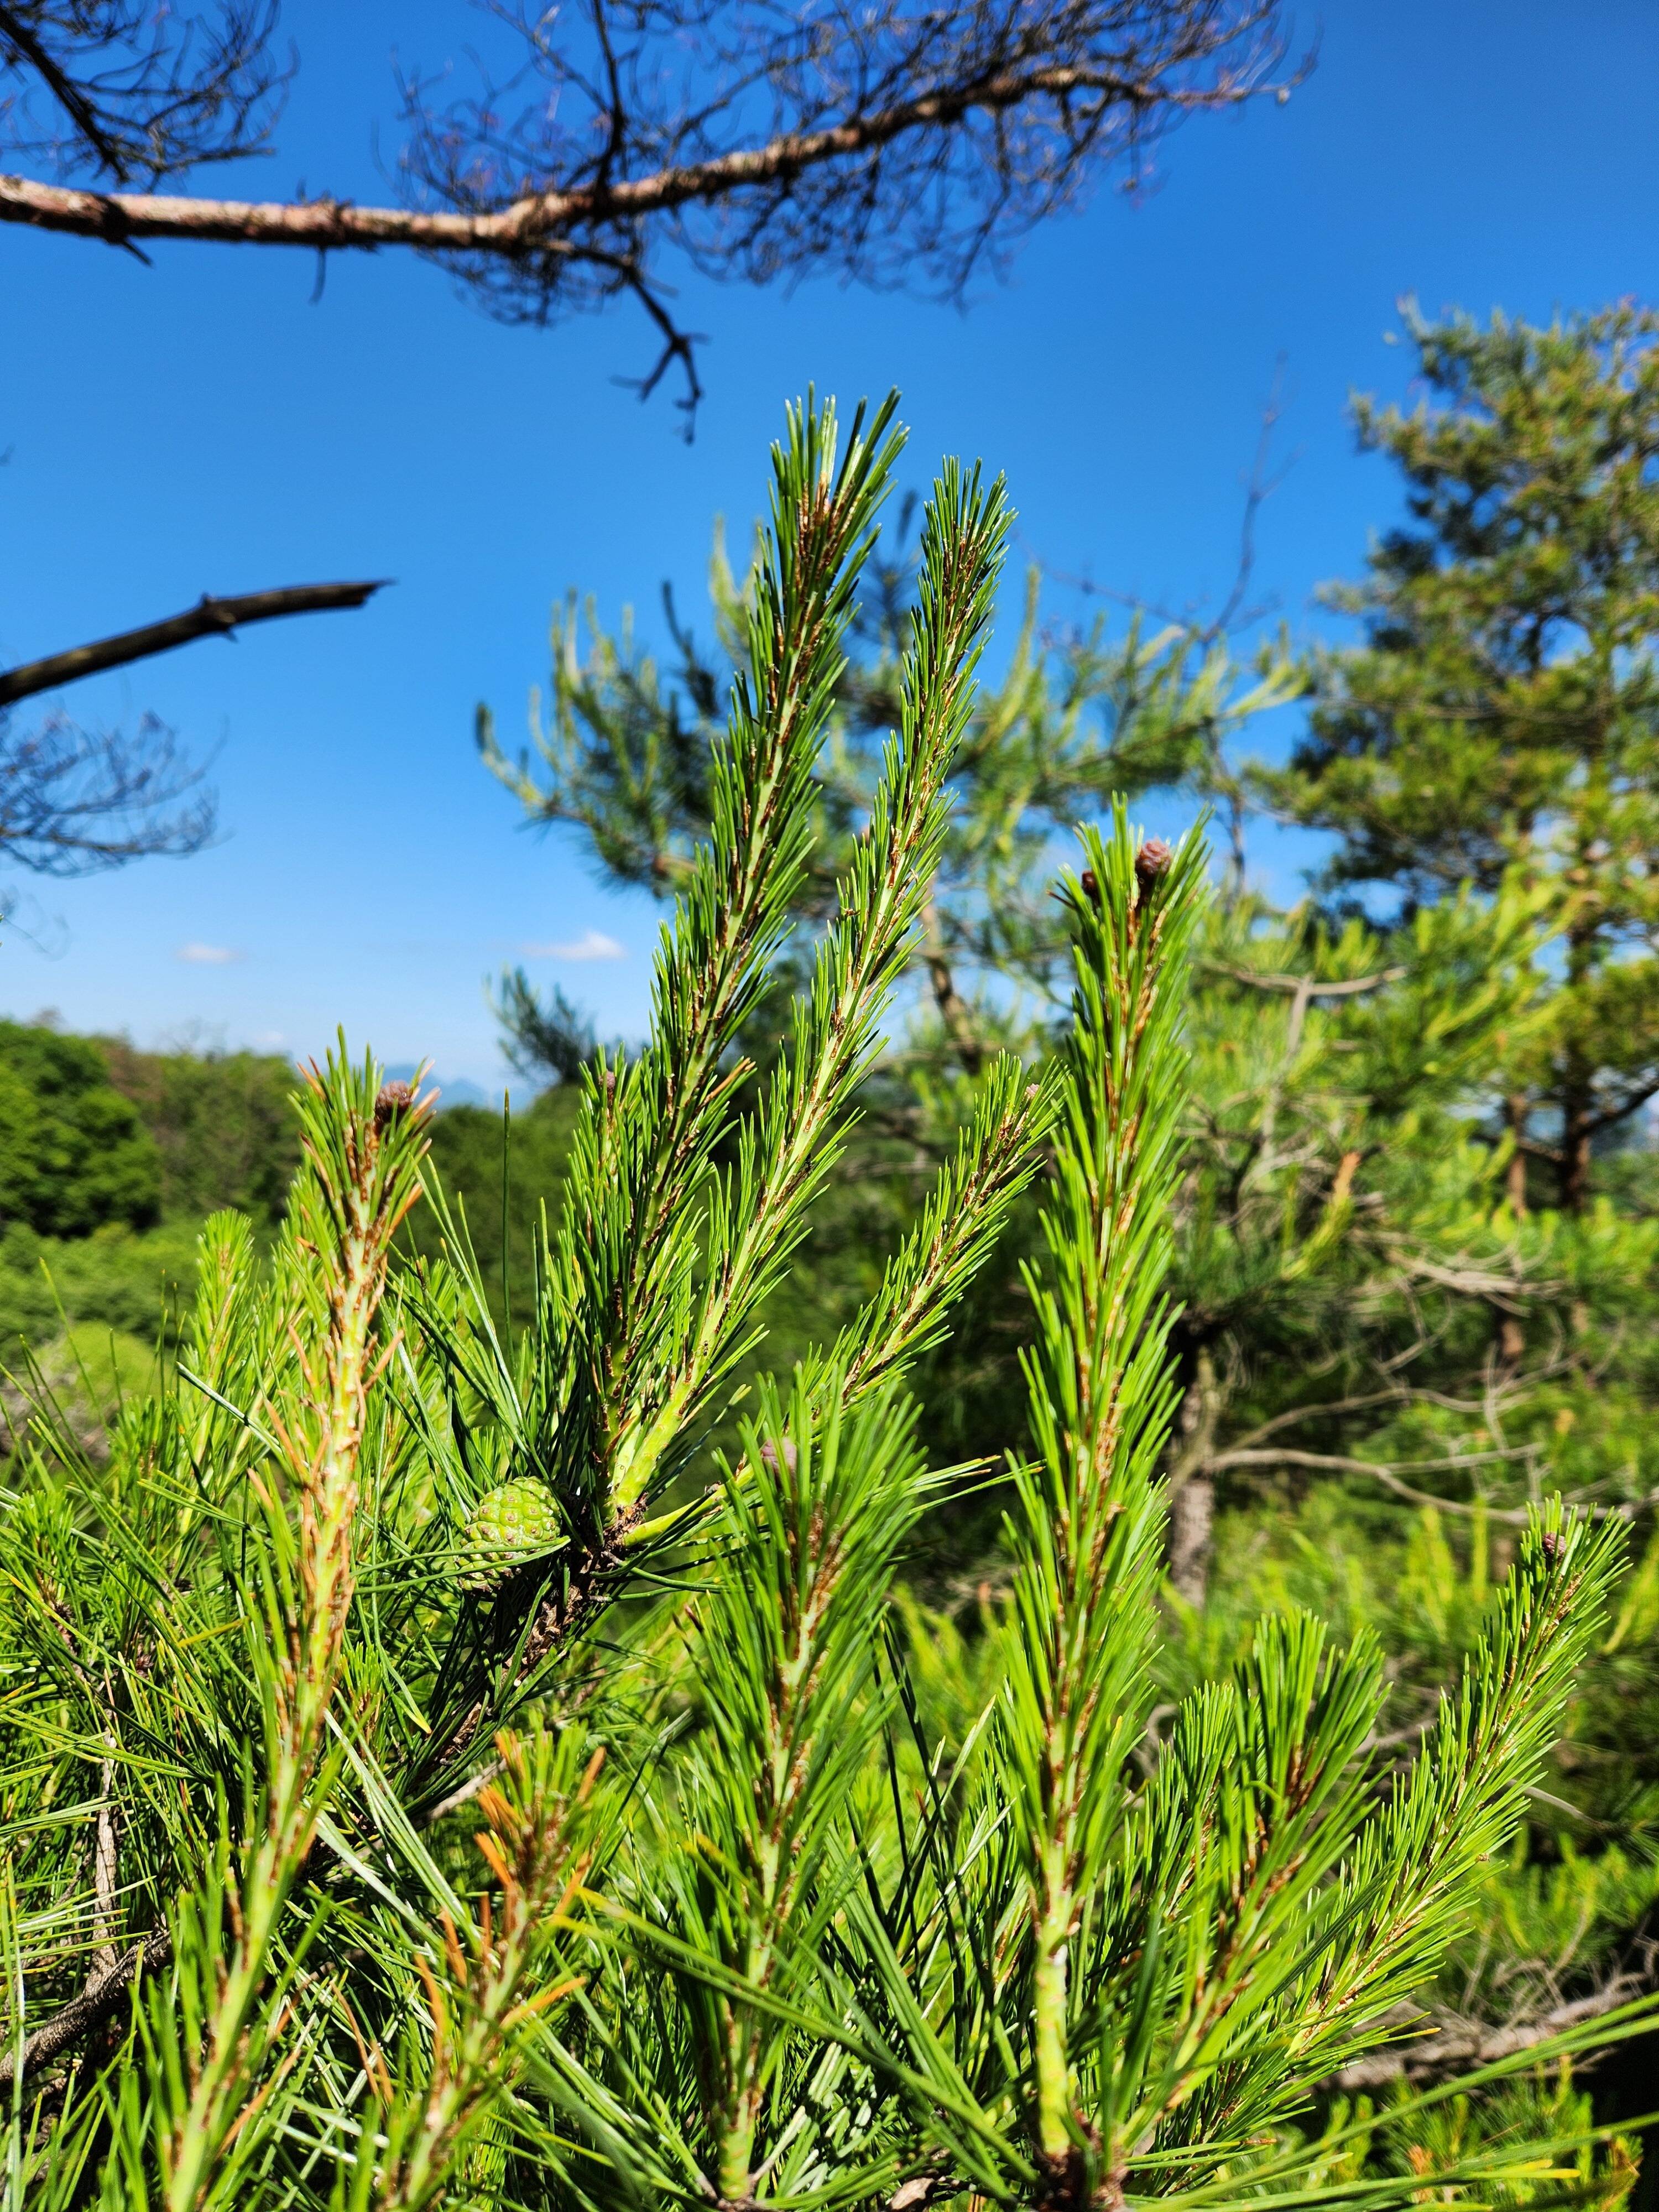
{"type": "Point", "coordinates": [647, 1149]}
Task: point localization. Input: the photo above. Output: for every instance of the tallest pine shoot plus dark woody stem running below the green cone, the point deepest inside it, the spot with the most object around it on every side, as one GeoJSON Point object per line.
{"type": "Point", "coordinates": [625, 1339]}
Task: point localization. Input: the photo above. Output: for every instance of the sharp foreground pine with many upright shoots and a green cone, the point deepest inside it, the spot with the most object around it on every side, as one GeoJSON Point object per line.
{"type": "Point", "coordinates": [426, 1786]}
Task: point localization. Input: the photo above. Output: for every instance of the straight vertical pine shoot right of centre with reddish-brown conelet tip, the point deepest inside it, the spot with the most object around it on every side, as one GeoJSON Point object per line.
{"type": "Point", "coordinates": [1100, 1408]}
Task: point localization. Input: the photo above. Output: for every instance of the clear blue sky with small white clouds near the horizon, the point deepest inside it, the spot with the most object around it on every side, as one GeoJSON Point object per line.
{"type": "Point", "coordinates": [202, 426]}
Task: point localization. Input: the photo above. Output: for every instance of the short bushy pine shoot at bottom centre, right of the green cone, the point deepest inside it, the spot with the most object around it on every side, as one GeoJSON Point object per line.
{"type": "Point", "coordinates": [786, 1651]}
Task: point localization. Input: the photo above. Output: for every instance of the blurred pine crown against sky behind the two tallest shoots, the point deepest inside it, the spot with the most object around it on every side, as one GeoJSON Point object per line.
{"type": "Point", "coordinates": [623, 747]}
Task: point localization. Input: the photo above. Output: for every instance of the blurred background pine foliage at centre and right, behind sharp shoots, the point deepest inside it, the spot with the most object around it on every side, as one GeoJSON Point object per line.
{"type": "Point", "coordinates": [1412, 1249]}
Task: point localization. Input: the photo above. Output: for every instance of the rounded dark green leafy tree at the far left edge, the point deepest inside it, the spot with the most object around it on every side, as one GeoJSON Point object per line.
{"type": "Point", "coordinates": [74, 1154]}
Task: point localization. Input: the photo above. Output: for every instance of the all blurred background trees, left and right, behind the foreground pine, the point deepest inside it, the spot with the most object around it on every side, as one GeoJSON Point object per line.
{"type": "Point", "coordinates": [1417, 1224]}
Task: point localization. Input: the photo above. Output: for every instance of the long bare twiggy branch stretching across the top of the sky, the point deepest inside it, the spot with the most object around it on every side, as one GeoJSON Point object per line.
{"type": "Point", "coordinates": [899, 147]}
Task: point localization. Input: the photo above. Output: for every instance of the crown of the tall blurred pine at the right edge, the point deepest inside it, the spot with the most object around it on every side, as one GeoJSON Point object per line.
{"type": "Point", "coordinates": [1503, 711]}
